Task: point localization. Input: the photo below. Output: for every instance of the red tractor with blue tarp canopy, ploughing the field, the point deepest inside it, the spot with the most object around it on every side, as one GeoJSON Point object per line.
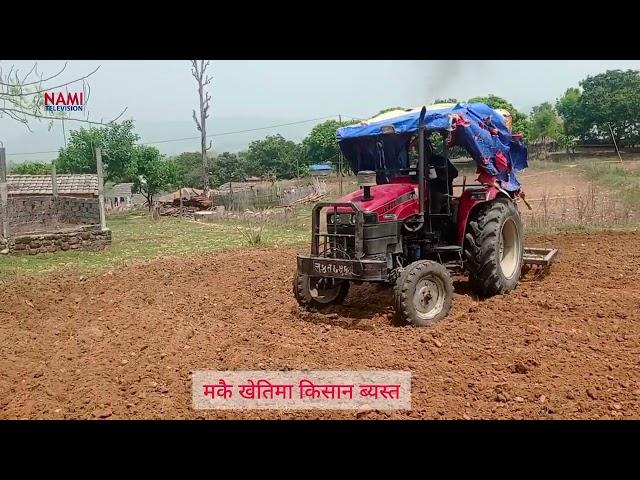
{"type": "Point", "coordinates": [405, 228]}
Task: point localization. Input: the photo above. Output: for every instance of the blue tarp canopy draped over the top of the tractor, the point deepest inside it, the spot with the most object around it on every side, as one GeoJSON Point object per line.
{"type": "Point", "coordinates": [382, 143]}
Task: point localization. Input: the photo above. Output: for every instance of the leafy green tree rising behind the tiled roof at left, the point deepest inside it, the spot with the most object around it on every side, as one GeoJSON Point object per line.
{"type": "Point", "coordinates": [117, 143]}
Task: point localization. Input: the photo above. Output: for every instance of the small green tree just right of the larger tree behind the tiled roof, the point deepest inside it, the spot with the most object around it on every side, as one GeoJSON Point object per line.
{"type": "Point", "coordinates": [153, 173]}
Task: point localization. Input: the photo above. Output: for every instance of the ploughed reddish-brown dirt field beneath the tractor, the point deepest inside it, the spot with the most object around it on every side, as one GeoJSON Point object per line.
{"type": "Point", "coordinates": [123, 344]}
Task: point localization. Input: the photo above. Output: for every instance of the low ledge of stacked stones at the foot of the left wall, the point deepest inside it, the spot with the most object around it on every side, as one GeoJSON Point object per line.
{"type": "Point", "coordinates": [89, 237]}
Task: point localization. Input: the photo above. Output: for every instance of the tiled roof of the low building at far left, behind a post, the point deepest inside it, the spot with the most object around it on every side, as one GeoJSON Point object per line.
{"type": "Point", "coordinates": [80, 184]}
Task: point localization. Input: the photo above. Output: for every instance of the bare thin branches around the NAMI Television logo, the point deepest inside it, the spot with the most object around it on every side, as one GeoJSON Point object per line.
{"type": "Point", "coordinates": [22, 95]}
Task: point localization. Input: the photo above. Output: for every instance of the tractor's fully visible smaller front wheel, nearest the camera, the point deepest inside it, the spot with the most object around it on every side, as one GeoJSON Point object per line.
{"type": "Point", "coordinates": [423, 293]}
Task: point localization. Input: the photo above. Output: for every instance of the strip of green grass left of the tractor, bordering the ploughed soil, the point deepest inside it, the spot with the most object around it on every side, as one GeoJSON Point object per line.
{"type": "Point", "coordinates": [137, 237]}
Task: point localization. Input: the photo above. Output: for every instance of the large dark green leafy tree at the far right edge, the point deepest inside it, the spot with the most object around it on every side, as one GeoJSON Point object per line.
{"type": "Point", "coordinates": [608, 100]}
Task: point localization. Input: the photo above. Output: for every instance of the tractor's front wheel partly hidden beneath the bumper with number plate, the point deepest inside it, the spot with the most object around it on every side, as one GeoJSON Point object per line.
{"type": "Point", "coordinates": [319, 292]}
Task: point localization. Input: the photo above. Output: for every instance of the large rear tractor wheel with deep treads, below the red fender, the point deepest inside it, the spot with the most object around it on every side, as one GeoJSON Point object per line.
{"type": "Point", "coordinates": [493, 248]}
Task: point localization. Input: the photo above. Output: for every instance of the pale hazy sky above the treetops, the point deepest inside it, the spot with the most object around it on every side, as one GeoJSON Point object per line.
{"type": "Point", "coordinates": [249, 94]}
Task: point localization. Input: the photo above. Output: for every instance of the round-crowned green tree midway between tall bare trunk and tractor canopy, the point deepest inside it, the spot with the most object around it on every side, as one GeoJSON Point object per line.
{"type": "Point", "coordinates": [274, 156]}
